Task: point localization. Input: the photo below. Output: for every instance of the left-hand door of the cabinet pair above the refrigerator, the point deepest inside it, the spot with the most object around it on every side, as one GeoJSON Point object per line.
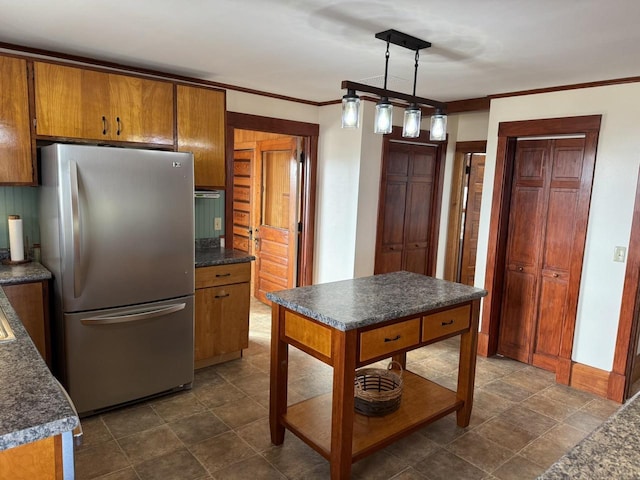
{"type": "Point", "coordinates": [71, 102]}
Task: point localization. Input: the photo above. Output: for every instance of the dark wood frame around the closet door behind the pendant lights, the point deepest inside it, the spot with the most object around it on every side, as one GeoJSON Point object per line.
{"type": "Point", "coordinates": [441, 153]}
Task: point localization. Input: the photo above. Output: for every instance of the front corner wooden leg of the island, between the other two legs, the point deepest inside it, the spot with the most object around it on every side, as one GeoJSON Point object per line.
{"type": "Point", "coordinates": [342, 408]}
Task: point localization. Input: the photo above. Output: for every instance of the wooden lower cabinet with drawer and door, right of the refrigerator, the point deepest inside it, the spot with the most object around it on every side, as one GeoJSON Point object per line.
{"type": "Point", "coordinates": [221, 313]}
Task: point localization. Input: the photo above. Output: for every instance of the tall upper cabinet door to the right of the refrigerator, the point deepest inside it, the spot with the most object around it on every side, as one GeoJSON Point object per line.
{"type": "Point", "coordinates": [201, 126]}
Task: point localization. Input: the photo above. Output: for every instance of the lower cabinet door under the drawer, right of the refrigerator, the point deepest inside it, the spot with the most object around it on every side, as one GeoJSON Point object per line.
{"type": "Point", "coordinates": [222, 320]}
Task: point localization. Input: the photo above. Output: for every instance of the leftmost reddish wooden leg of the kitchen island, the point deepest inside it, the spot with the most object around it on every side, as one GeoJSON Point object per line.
{"type": "Point", "coordinates": [279, 372]}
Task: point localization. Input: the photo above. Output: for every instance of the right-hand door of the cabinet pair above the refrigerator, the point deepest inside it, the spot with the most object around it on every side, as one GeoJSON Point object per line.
{"type": "Point", "coordinates": [140, 110]}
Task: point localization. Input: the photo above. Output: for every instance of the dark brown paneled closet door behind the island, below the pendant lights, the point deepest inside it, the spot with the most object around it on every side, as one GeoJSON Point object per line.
{"type": "Point", "coordinates": [405, 219]}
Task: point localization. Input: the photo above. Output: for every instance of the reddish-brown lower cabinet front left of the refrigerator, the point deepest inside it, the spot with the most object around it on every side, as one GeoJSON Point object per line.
{"type": "Point", "coordinates": [30, 301]}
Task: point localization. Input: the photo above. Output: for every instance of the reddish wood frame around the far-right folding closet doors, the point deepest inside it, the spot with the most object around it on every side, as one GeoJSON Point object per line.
{"type": "Point", "coordinates": [508, 133]}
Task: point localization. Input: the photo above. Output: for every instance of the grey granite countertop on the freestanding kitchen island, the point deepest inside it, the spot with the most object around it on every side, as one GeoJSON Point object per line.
{"type": "Point", "coordinates": [351, 304]}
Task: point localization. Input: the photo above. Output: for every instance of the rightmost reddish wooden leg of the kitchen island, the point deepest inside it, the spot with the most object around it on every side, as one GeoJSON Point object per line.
{"type": "Point", "coordinates": [467, 366]}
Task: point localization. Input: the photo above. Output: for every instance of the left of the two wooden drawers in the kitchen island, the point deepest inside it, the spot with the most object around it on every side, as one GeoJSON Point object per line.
{"type": "Point", "coordinates": [389, 339]}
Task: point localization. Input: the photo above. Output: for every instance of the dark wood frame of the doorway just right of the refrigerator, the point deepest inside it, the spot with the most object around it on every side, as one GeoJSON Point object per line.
{"type": "Point", "coordinates": [310, 133]}
